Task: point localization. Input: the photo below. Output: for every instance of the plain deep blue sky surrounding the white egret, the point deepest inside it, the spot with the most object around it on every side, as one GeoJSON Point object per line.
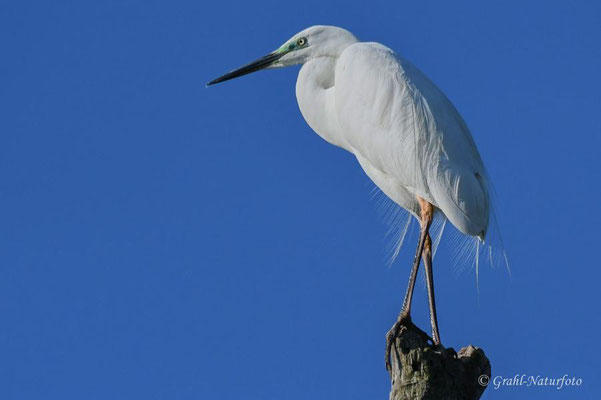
{"type": "Point", "coordinates": [163, 240]}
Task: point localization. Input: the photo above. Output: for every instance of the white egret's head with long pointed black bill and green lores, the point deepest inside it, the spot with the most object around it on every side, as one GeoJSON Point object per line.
{"type": "Point", "coordinates": [316, 41]}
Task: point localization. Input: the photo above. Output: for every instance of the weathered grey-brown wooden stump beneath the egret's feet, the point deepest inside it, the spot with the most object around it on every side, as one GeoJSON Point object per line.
{"type": "Point", "coordinates": [421, 371]}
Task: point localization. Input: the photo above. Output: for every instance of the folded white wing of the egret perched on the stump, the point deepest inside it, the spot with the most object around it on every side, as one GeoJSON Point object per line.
{"type": "Point", "coordinates": [391, 114]}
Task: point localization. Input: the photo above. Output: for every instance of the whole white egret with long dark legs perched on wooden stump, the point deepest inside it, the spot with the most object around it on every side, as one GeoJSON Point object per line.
{"type": "Point", "coordinates": [405, 133]}
